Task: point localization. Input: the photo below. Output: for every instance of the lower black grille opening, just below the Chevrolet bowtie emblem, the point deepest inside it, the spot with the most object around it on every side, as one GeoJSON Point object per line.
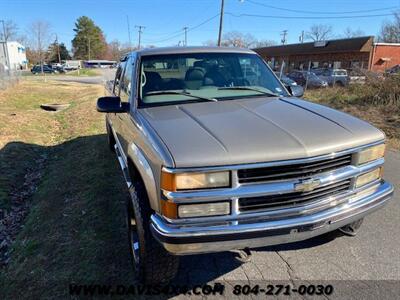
{"type": "Point", "coordinates": [292, 199]}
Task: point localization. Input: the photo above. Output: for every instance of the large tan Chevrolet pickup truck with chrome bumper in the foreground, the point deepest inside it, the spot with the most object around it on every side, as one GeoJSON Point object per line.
{"type": "Point", "coordinates": [215, 163]}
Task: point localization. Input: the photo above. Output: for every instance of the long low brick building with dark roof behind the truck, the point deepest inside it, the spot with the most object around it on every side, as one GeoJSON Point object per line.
{"type": "Point", "coordinates": [352, 53]}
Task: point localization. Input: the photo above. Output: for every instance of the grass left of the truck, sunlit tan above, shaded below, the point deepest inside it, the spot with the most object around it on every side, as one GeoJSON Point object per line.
{"type": "Point", "coordinates": [75, 230]}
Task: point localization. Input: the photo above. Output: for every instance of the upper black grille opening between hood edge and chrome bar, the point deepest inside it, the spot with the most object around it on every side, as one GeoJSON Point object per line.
{"type": "Point", "coordinates": [292, 171]}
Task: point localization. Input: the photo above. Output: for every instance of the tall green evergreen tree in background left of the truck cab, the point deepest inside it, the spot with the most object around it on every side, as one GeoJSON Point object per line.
{"type": "Point", "coordinates": [89, 41]}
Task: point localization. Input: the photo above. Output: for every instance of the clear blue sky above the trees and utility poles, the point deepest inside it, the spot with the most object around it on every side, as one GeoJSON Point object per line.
{"type": "Point", "coordinates": [164, 19]}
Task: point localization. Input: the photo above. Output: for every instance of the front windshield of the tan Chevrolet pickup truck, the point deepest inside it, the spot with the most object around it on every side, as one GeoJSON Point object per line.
{"type": "Point", "coordinates": [183, 78]}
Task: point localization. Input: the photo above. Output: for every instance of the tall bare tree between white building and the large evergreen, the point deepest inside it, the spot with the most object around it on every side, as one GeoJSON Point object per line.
{"type": "Point", "coordinates": [39, 32]}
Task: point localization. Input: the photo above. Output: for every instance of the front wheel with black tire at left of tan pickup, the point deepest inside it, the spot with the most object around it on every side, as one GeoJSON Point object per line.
{"type": "Point", "coordinates": [152, 263]}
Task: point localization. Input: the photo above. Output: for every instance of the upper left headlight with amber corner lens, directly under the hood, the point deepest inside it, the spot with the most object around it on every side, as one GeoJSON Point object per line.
{"type": "Point", "coordinates": [193, 181]}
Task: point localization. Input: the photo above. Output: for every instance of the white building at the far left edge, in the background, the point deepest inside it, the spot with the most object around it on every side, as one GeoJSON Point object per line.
{"type": "Point", "coordinates": [16, 53]}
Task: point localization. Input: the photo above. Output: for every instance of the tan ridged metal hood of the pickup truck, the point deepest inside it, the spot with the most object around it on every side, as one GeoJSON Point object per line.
{"type": "Point", "coordinates": [255, 130]}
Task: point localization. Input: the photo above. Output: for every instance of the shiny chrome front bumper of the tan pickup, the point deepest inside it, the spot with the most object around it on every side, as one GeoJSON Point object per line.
{"type": "Point", "coordinates": [181, 239]}
